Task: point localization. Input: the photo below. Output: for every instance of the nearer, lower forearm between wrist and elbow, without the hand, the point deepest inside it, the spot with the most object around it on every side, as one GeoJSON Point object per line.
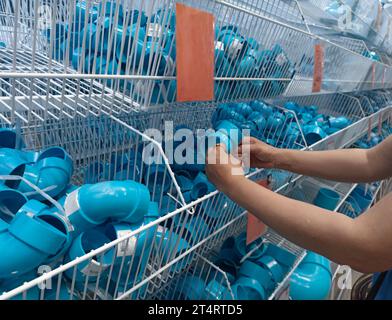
{"type": "Point", "coordinates": [330, 234]}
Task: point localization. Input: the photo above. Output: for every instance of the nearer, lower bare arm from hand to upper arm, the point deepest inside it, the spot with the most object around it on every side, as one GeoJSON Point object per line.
{"type": "Point", "coordinates": [364, 243]}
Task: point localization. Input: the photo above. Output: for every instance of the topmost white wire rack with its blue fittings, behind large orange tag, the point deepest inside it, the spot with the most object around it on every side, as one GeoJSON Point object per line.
{"type": "Point", "coordinates": [98, 44]}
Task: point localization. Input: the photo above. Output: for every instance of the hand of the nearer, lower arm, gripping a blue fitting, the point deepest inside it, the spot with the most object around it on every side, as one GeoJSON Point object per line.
{"type": "Point", "coordinates": [222, 169]}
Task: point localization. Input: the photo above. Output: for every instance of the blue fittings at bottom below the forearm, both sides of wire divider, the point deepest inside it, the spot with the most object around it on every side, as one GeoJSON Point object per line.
{"type": "Point", "coordinates": [251, 272]}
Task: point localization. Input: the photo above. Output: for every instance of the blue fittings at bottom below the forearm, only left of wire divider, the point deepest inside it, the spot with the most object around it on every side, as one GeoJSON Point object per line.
{"type": "Point", "coordinates": [252, 272]}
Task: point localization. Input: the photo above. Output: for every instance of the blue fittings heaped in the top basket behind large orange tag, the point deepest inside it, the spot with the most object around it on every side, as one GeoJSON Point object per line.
{"type": "Point", "coordinates": [121, 41]}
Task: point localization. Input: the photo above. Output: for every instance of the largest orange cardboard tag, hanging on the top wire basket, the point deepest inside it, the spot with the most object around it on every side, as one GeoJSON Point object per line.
{"type": "Point", "coordinates": [194, 54]}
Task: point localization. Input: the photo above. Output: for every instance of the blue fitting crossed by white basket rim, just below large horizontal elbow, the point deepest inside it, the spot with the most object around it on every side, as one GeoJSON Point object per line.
{"type": "Point", "coordinates": [91, 268]}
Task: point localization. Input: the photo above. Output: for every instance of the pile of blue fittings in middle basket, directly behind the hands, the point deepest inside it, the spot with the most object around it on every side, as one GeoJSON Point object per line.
{"type": "Point", "coordinates": [278, 128]}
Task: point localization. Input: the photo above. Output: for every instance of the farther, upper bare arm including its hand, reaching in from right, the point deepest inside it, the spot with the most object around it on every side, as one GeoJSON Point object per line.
{"type": "Point", "coordinates": [350, 165]}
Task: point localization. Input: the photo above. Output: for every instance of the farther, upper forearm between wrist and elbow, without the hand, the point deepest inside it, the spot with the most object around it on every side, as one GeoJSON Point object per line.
{"type": "Point", "coordinates": [350, 165]}
